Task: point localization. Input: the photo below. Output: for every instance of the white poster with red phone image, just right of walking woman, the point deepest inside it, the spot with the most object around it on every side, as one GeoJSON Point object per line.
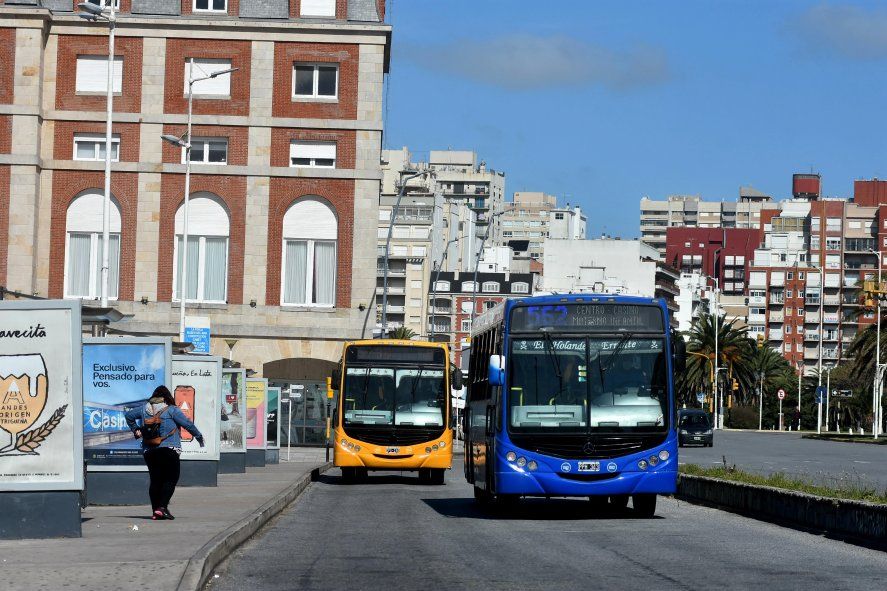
{"type": "Point", "coordinates": [196, 385]}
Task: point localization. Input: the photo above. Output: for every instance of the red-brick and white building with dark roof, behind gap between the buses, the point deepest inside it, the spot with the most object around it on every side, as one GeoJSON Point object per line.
{"type": "Point", "coordinates": [454, 294]}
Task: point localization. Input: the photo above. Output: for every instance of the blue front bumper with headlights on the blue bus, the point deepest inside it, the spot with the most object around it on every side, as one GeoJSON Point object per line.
{"type": "Point", "coordinates": [556, 477]}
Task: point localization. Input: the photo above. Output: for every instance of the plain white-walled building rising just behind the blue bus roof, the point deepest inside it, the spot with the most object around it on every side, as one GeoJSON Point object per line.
{"type": "Point", "coordinates": [627, 267]}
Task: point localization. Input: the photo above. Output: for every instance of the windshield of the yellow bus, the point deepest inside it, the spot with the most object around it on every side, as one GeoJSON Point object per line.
{"type": "Point", "coordinates": [394, 396]}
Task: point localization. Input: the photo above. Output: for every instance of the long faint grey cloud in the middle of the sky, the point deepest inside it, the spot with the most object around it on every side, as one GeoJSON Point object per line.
{"type": "Point", "coordinates": [528, 61]}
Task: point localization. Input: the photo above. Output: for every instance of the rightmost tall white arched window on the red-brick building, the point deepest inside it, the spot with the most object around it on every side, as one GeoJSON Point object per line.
{"type": "Point", "coordinates": [310, 230]}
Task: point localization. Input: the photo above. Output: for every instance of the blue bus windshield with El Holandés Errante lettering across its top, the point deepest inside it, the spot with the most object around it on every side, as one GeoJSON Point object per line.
{"type": "Point", "coordinates": [587, 384]}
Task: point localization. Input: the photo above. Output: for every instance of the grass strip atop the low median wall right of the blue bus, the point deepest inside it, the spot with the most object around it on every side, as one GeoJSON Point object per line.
{"type": "Point", "coordinates": [849, 491]}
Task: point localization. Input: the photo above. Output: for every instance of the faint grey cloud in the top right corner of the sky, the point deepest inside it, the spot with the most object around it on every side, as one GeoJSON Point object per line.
{"type": "Point", "coordinates": [849, 31]}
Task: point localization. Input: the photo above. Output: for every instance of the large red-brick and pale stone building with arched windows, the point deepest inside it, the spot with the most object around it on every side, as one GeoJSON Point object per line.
{"type": "Point", "coordinates": [285, 167]}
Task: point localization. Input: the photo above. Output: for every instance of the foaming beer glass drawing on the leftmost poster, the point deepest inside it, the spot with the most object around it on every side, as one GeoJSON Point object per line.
{"type": "Point", "coordinates": [23, 388]}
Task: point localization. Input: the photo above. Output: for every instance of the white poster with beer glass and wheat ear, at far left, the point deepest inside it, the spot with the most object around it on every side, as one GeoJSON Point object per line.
{"type": "Point", "coordinates": [40, 430]}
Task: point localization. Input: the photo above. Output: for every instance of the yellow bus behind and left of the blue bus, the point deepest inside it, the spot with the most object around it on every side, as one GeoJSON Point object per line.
{"type": "Point", "coordinates": [393, 408]}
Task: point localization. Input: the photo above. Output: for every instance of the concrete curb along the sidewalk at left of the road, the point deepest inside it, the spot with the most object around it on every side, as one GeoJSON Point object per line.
{"type": "Point", "coordinates": [211, 554]}
